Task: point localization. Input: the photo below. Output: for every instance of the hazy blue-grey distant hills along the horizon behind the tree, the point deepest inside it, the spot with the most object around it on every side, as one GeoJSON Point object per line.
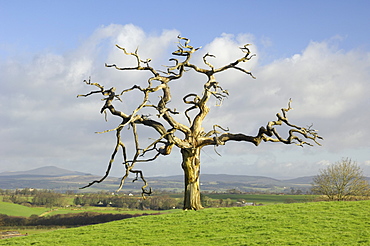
{"type": "Point", "coordinates": [61, 180]}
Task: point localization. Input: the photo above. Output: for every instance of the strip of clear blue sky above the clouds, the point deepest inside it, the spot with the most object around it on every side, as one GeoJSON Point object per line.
{"type": "Point", "coordinates": [33, 26]}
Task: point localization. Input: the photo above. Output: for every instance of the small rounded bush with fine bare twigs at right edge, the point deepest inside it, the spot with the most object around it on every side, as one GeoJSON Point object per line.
{"type": "Point", "coordinates": [341, 181]}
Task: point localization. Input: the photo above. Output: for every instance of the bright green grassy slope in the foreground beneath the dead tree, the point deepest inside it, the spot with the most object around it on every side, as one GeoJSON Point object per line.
{"type": "Point", "coordinates": [319, 223]}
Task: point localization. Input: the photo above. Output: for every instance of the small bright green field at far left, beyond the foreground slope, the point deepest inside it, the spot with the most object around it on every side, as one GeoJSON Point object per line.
{"type": "Point", "coordinates": [19, 210]}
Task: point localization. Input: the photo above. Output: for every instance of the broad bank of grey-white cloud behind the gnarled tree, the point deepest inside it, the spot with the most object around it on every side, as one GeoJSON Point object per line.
{"type": "Point", "coordinates": [43, 123]}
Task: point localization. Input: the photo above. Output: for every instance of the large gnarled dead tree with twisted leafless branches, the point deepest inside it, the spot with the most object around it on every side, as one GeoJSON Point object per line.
{"type": "Point", "coordinates": [193, 137]}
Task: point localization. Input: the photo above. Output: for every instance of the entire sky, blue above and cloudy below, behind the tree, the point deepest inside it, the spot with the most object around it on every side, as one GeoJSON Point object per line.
{"type": "Point", "coordinates": [315, 52]}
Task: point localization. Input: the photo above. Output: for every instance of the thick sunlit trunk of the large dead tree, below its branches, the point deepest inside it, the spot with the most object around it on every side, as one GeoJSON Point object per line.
{"type": "Point", "coordinates": [191, 166]}
